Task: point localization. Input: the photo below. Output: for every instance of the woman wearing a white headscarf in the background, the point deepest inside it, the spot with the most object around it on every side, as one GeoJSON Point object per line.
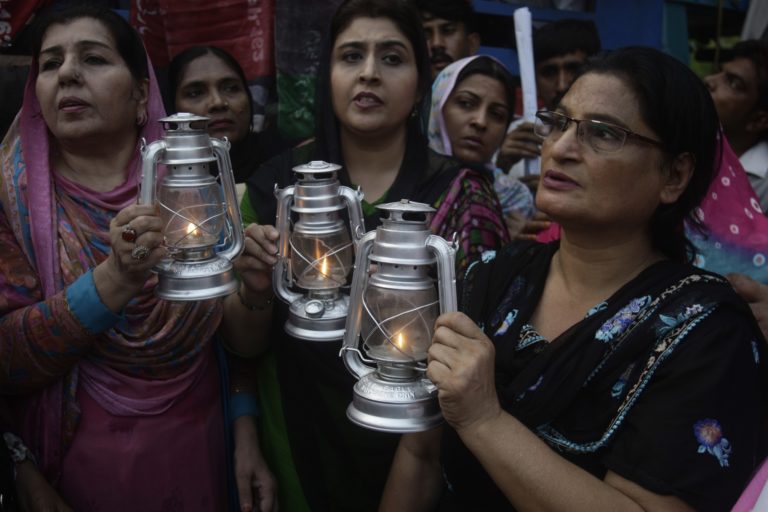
{"type": "Point", "coordinates": [472, 102]}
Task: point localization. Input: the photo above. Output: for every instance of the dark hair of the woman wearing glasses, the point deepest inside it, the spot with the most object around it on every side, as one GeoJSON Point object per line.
{"type": "Point", "coordinates": [677, 106]}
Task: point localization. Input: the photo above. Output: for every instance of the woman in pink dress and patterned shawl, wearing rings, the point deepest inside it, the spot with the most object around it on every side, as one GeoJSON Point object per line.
{"type": "Point", "coordinates": [124, 403]}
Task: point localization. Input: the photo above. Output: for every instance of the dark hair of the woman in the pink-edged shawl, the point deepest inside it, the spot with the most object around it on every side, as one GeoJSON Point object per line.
{"type": "Point", "coordinates": [127, 40]}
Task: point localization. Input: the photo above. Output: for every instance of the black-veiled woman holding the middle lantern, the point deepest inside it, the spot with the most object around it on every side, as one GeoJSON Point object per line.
{"type": "Point", "coordinates": [374, 79]}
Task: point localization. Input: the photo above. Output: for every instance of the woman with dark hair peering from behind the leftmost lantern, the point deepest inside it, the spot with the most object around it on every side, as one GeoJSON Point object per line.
{"type": "Point", "coordinates": [207, 81]}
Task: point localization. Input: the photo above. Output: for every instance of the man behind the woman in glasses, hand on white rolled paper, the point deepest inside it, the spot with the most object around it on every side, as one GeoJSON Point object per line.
{"type": "Point", "coordinates": [560, 49]}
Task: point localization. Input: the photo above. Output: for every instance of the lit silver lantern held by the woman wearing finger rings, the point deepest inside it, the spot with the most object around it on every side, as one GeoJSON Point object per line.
{"type": "Point", "coordinates": [202, 228]}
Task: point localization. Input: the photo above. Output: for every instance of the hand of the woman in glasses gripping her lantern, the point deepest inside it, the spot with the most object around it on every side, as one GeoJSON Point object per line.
{"type": "Point", "coordinates": [461, 365]}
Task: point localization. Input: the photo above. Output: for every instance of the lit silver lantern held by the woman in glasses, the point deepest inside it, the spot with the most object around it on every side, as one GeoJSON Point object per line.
{"type": "Point", "coordinates": [396, 297]}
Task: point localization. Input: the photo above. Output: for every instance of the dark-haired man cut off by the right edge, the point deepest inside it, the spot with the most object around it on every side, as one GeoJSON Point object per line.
{"type": "Point", "coordinates": [740, 93]}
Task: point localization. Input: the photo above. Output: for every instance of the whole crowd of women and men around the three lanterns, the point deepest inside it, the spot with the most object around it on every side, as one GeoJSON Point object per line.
{"type": "Point", "coordinates": [600, 359]}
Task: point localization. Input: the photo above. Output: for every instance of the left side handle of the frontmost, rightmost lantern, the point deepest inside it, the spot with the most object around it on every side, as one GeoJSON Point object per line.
{"type": "Point", "coordinates": [349, 351]}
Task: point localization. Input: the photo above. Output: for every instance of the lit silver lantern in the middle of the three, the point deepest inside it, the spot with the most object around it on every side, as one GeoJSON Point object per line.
{"type": "Point", "coordinates": [316, 250]}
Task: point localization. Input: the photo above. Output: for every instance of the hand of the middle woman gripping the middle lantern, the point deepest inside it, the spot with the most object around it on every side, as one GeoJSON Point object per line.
{"type": "Point", "coordinates": [258, 258]}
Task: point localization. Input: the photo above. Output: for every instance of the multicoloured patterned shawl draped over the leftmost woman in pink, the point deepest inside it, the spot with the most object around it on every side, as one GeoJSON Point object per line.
{"type": "Point", "coordinates": [62, 229]}
